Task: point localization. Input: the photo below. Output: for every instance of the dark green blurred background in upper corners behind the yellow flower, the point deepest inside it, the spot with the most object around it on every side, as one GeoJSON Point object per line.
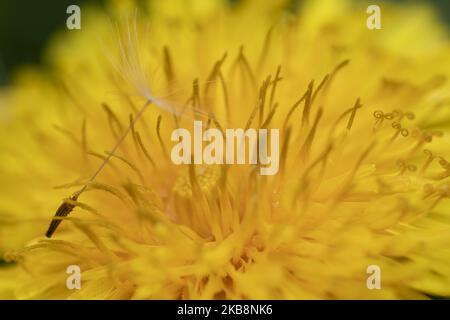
{"type": "Point", "coordinates": [25, 26]}
